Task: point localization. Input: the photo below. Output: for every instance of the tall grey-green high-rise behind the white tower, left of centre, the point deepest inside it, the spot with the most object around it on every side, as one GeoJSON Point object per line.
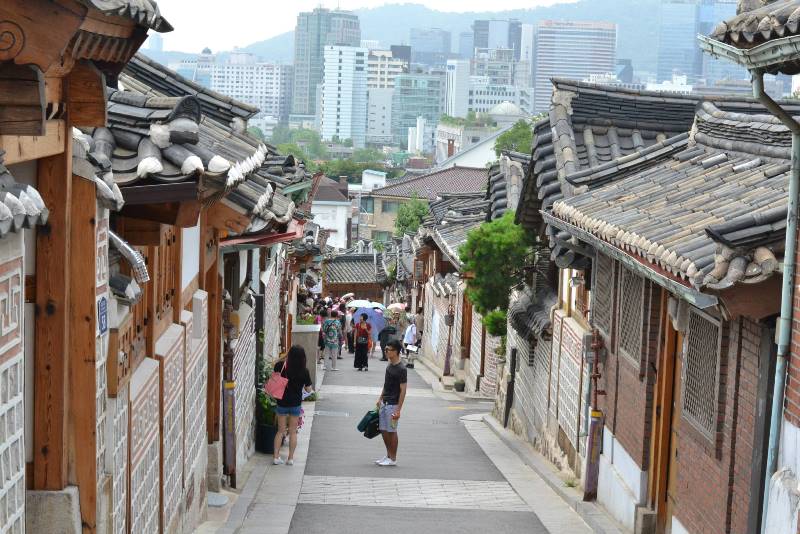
{"type": "Point", "coordinates": [315, 30]}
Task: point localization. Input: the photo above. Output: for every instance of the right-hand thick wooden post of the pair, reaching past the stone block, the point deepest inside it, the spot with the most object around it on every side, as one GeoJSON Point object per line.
{"type": "Point", "coordinates": [82, 356]}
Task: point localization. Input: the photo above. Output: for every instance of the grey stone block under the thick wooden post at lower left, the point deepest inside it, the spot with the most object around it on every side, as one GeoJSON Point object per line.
{"type": "Point", "coordinates": [53, 512]}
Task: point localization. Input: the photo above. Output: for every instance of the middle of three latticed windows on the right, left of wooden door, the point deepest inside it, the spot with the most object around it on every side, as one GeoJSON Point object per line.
{"type": "Point", "coordinates": [631, 308]}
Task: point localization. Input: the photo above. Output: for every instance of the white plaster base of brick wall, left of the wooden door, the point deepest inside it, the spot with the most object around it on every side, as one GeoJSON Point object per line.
{"type": "Point", "coordinates": [622, 485]}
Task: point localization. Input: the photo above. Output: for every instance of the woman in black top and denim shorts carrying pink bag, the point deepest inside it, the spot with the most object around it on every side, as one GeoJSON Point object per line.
{"type": "Point", "coordinates": [294, 370]}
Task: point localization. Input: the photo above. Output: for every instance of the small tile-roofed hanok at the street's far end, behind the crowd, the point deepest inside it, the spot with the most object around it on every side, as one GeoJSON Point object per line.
{"type": "Point", "coordinates": [360, 274]}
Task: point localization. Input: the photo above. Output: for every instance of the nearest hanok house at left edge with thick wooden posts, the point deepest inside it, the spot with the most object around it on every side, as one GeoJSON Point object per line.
{"type": "Point", "coordinates": [56, 60]}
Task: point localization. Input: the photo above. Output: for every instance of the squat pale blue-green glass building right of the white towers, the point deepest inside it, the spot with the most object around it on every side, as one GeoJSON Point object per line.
{"type": "Point", "coordinates": [416, 95]}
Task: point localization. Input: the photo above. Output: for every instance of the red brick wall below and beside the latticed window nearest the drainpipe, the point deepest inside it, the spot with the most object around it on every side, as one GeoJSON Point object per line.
{"type": "Point", "coordinates": [713, 478]}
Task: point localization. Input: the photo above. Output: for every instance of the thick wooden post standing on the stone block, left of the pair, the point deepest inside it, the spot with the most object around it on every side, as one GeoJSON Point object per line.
{"type": "Point", "coordinates": [51, 325]}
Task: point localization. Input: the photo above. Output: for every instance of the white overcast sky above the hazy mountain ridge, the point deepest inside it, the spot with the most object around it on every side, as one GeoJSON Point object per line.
{"type": "Point", "coordinates": [223, 24]}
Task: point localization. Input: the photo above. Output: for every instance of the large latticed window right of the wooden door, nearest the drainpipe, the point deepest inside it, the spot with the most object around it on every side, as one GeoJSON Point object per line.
{"type": "Point", "coordinates": [700, 373]}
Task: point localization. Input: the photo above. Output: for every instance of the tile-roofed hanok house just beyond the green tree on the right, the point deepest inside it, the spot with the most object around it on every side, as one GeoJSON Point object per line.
{"type": "Point", "coordinates": [455, 342]}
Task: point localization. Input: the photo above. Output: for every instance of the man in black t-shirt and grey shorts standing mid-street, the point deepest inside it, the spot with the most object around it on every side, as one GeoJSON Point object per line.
{"type": "Point", "coordinates": [391, 402]}
